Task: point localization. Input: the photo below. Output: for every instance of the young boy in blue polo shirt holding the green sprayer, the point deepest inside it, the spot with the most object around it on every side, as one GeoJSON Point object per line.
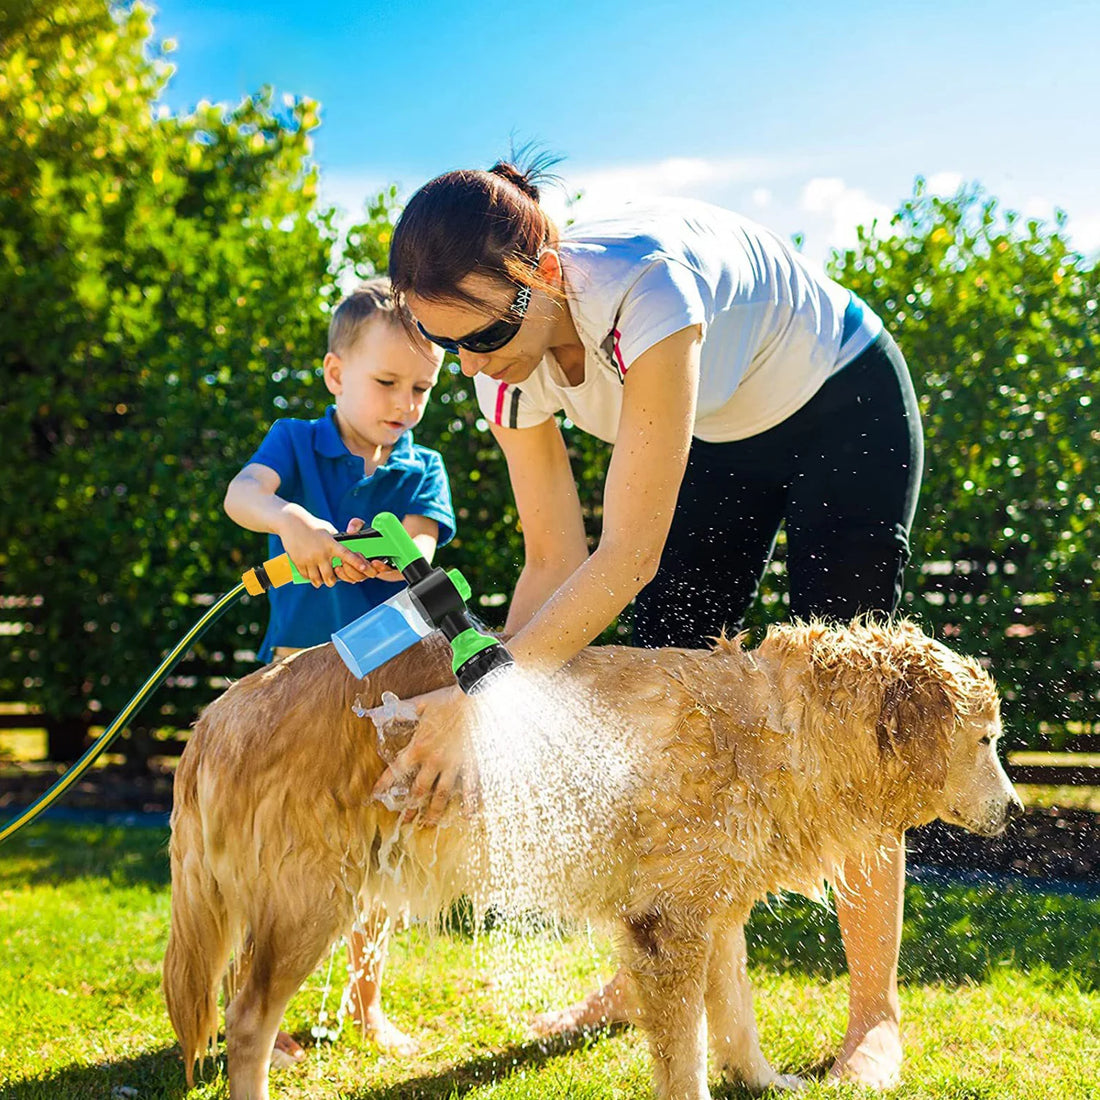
{"type": "Point", "coordinates": [311, 480]}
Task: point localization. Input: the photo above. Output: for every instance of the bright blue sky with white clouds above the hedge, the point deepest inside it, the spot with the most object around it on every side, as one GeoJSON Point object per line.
{"type": "Point", "coordinates": [809, 117]}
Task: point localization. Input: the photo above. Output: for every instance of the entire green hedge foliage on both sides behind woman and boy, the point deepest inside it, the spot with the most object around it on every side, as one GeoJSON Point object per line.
{"type": "Point", "coordinates": [166, 287]}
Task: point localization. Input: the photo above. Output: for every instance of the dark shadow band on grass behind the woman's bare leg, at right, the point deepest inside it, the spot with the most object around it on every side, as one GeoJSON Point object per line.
{"type": "Point", "coordinates": [953, 933]}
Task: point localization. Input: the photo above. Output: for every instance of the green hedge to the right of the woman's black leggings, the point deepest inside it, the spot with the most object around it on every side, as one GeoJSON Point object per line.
{"type": "Point", "coordinates": [1000, 325]}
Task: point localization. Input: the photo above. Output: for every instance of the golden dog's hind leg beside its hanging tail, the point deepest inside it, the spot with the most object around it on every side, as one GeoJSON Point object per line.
{"type": "Point", "coordinates": [289, 942]}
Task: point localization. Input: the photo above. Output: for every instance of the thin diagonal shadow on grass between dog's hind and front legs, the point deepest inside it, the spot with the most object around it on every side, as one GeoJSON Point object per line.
{"type": "Point", "coordinates": [488, 1069]}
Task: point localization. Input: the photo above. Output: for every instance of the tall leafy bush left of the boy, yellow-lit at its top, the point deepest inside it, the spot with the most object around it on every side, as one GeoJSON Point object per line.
{"type": "Point", "coordinates": [164, 287]}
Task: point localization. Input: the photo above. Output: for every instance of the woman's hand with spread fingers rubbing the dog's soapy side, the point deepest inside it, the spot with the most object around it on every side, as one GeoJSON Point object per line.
{"type": "Point", "coordinates": [438, 763]}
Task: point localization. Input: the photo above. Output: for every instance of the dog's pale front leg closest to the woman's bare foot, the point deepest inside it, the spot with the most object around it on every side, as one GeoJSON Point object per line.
{"type": "Point", "coordinates": [730, 1018]}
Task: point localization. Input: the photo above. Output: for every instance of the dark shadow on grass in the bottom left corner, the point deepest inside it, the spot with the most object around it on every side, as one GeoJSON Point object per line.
{"type": "Point", "coordinates": [157, 1075]}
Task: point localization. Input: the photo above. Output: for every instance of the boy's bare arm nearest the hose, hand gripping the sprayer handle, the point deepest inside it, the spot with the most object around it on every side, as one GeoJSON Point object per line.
{"type": "Point", "coordinates": [252, 502]}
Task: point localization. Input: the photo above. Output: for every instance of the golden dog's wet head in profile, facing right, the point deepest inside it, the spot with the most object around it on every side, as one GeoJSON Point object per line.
{"type": "Point", "coordinates": [941, 721]}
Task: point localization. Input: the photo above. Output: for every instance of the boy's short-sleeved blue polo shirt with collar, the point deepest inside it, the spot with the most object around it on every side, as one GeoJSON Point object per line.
{"type": "Point", "coordinates": [317, 471]}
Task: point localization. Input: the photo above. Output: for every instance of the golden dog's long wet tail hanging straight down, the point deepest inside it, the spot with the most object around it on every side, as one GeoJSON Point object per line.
{"type": "Point", "coordinates": [201, 940]}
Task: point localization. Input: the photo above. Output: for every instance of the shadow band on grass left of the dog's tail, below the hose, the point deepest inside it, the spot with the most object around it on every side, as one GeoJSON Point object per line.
{"type": "Point", "coordinates": [51, 853]}
